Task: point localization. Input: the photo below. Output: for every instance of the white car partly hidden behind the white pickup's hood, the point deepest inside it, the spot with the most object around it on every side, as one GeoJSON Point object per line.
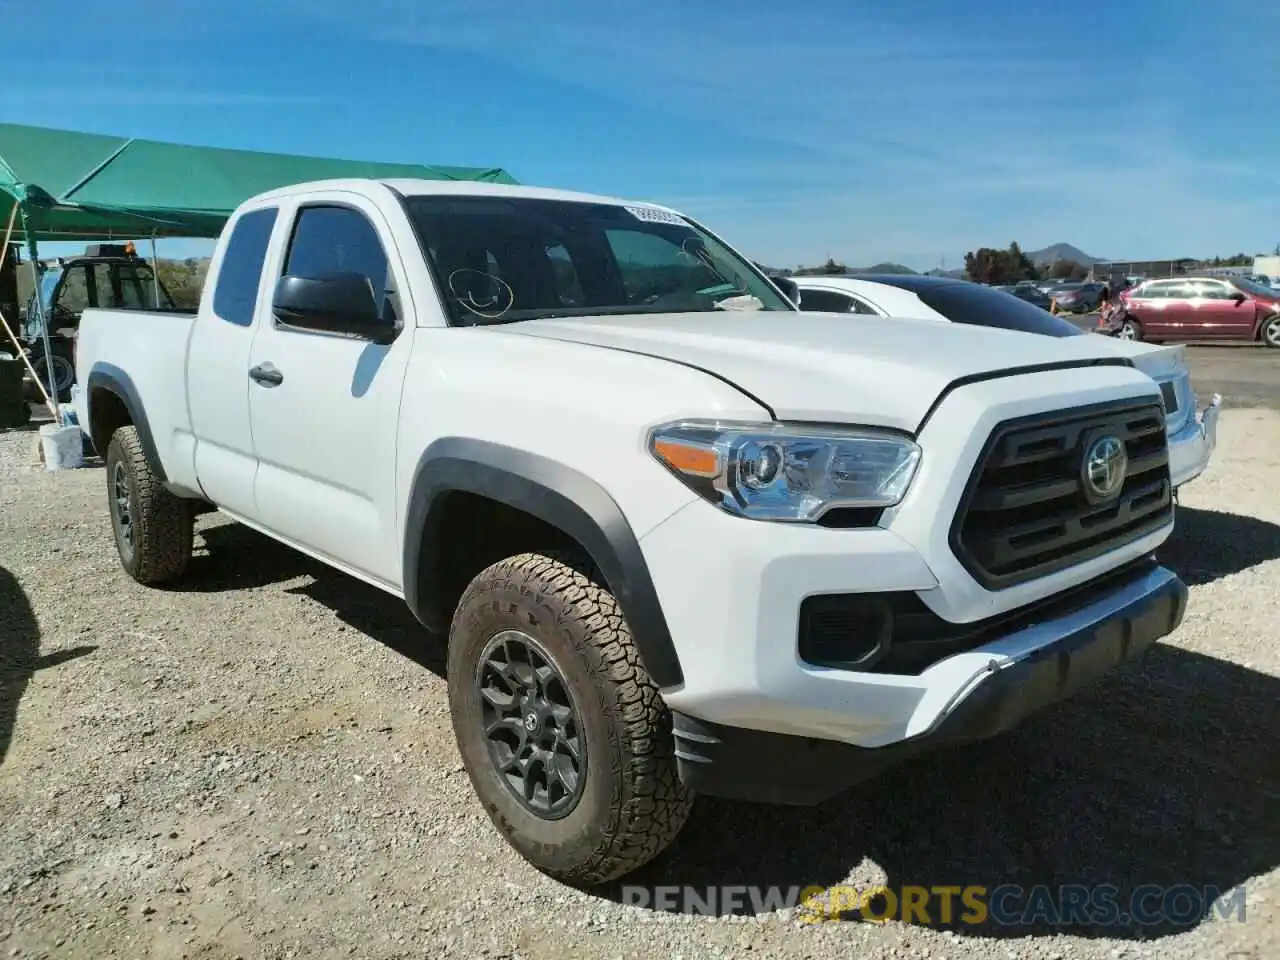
{"type": "Point", "coordinates": [1192, 431]}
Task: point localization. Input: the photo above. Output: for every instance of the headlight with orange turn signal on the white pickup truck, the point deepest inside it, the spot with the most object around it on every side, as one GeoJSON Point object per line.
{"type": "Point", "coordinates": [772, 472]}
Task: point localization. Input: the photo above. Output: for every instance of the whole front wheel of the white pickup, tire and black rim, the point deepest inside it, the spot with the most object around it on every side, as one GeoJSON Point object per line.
{"type": "Point", "coordinates": [563, 733]}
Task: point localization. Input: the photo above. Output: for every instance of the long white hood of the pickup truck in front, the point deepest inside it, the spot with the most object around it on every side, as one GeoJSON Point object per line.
{"type": "Point", "coordinates": [825, 368]}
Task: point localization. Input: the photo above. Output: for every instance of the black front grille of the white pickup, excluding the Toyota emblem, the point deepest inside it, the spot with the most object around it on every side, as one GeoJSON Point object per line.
{"type": "Point", "coordinates": [1026, 513]}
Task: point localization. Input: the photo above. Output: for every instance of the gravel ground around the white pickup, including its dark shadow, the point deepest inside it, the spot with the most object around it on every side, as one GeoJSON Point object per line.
{"type": "Point", "coordinates": [259, 765]}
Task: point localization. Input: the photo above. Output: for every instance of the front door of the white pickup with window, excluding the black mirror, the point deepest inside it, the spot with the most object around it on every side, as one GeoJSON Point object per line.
{"type": "Point", "coordinates": [324, 406]}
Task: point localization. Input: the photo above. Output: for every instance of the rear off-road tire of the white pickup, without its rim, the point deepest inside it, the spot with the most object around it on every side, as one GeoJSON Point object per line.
{"type": "Point", "coordinates": [163, 524]}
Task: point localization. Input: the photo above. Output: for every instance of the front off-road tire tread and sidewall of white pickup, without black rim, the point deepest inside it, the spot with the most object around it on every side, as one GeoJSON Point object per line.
{"type": "Point", "coordinates": [633, 804]}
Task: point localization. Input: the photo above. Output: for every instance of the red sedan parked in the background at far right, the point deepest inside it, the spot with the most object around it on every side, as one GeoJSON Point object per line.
{"type": "Point", "coordinates": [1200, 309]}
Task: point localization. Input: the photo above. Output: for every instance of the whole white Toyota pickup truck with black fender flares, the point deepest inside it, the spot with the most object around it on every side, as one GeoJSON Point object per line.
{"type": "Point", "coordinates": [682, 538]}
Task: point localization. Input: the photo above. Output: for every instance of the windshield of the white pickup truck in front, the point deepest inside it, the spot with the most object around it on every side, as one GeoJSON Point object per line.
{"type": "Point", "coordinates": [510, 259]}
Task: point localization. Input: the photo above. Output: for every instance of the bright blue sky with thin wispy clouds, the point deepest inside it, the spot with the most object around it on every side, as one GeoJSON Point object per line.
{"type": "Point", "coordinates": [902, 131]}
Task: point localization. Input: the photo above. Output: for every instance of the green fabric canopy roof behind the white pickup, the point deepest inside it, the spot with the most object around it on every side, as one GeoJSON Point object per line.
{"type": "Point", "coordinates": [89, 186]}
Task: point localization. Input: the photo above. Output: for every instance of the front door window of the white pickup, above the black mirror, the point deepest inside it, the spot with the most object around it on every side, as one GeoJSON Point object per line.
{"type": "Point", "coordinates": [339, 240]}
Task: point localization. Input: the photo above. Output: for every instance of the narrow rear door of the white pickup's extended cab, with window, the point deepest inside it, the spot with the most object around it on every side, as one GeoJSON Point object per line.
{"type": "Point", "coordinates": [218, 358]}
